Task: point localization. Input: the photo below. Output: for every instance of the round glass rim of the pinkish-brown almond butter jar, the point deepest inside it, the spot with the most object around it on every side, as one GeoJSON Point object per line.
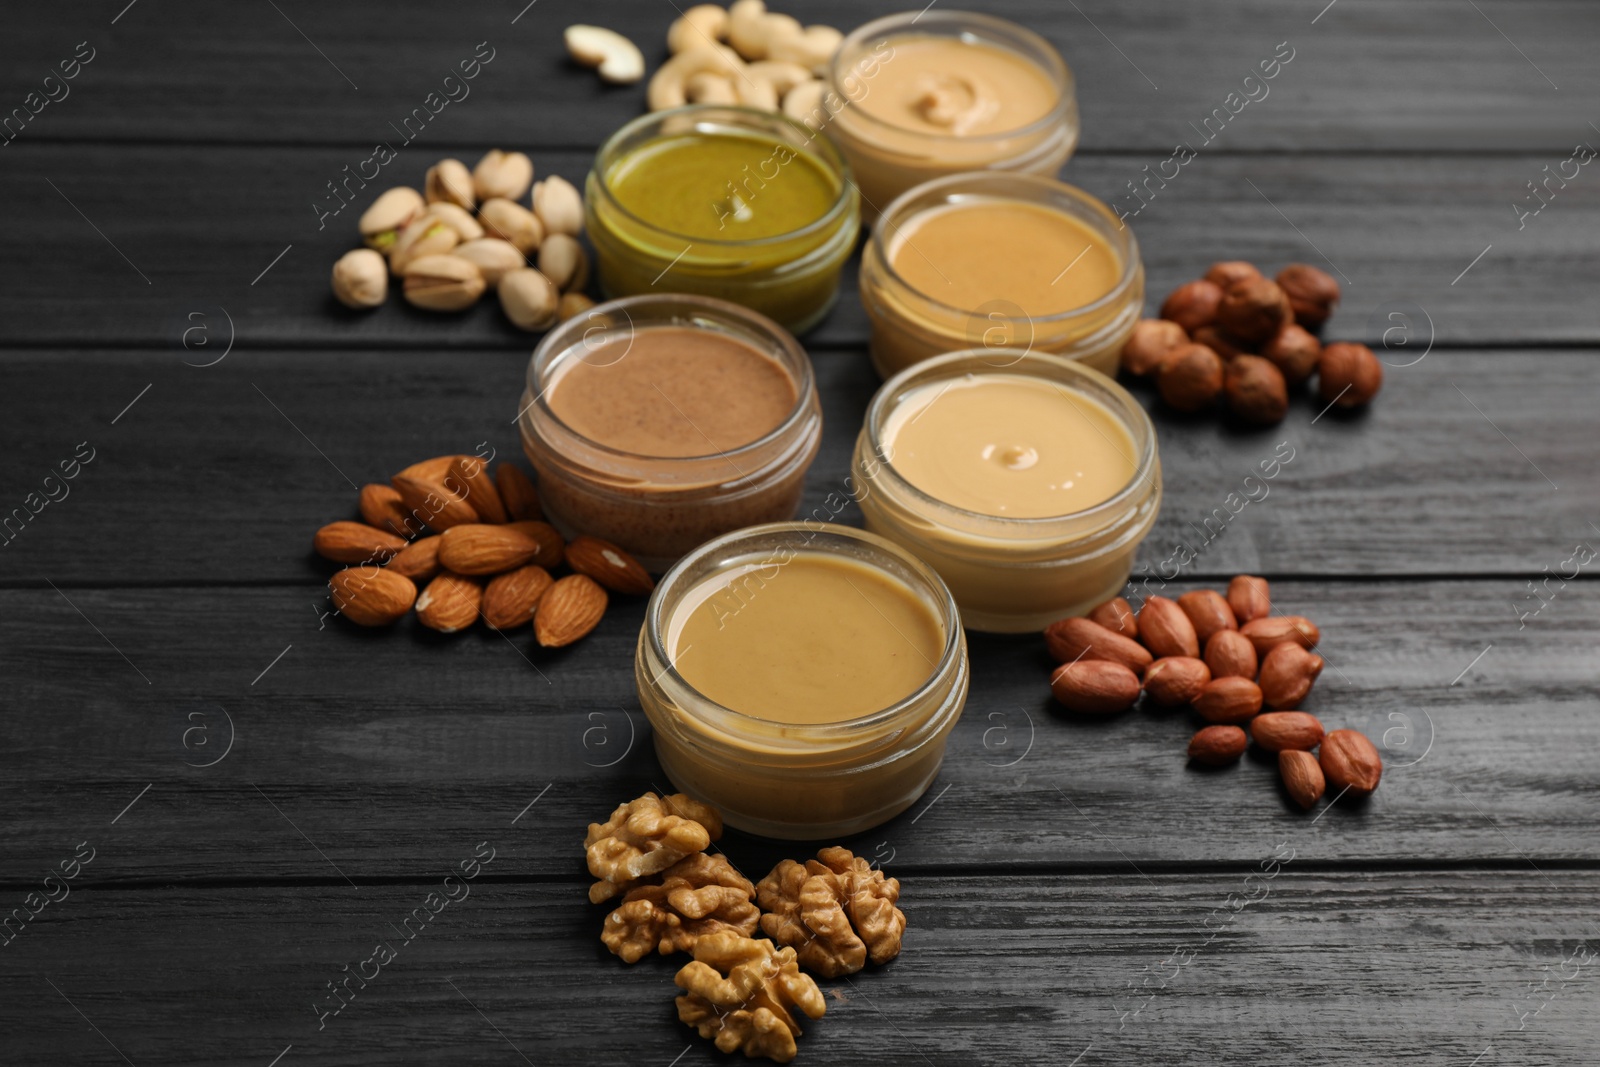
{"type": "Point", "coordinates": [570, 335]}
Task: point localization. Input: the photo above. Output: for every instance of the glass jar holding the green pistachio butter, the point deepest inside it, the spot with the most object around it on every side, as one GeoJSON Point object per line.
{"type": "Point", "coordinates": [793, 278]}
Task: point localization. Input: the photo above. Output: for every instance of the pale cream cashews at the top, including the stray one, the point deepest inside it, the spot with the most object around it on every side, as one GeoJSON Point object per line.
{"type": "Point", "coordinates": [742, 55]}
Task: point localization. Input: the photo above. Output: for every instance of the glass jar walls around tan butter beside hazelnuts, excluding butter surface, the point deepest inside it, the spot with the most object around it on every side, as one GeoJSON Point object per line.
{"type": "Point", "coordinates": [910, 326]}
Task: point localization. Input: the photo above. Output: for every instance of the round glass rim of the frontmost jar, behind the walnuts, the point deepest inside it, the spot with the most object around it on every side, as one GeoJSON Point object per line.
{"type": "Point", "coordinates": [657, 621]}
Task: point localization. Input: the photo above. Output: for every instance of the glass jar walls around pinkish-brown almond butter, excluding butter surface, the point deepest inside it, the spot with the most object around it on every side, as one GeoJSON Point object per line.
{"type": "Point", "coordinates": [652, 506]}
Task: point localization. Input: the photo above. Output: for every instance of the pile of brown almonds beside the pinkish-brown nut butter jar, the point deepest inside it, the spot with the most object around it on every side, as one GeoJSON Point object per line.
{"type": "Point", "coordinates": [484, 551]}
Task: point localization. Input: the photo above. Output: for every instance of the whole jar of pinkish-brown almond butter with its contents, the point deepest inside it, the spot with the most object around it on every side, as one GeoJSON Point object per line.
{"type": "Point", "coordinates": [662, 422]}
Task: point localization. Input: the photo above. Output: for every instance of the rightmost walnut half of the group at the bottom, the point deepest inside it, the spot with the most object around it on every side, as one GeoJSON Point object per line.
{"type": "Point", "coordinates": [836, 911]}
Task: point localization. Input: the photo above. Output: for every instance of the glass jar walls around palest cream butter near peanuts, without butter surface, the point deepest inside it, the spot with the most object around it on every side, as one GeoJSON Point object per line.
{"type": "Point", "coordinates": [1014, 575]}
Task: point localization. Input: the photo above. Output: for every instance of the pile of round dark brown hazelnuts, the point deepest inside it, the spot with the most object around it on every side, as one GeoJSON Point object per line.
{"type": "Point", "coordinates": [1249, 340]}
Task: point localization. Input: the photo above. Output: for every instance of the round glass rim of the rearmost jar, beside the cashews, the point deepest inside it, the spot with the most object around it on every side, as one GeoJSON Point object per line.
{"type": "Point", "coordinates": [1002, 33]}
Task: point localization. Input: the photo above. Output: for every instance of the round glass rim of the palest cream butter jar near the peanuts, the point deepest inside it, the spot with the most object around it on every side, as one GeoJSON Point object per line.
{"type": "Point", "coordinates": [1134, 418]}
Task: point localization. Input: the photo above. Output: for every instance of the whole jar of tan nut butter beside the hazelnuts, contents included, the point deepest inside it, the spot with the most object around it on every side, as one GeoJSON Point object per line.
{"type": "Point", "coordinates": [991, 260]}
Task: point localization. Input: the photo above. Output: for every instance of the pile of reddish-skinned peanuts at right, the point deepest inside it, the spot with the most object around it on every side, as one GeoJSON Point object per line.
{"type": "Point", "coordinates": [1252, 661]}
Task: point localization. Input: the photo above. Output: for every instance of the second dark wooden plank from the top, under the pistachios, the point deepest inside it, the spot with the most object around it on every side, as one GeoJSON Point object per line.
{"type": "Point", "coordinates": [130, 265]}
